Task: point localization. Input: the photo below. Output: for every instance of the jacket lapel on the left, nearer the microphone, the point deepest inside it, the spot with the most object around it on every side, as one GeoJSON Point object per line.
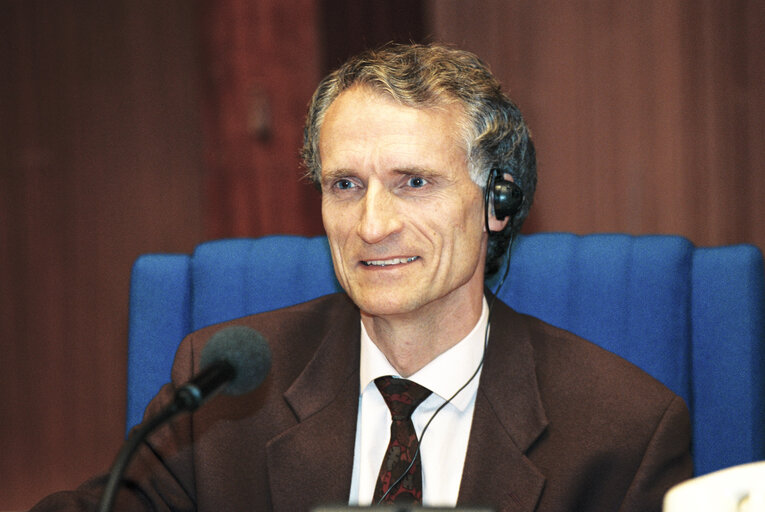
{"type": "Point", "coordinates": [315, 457]}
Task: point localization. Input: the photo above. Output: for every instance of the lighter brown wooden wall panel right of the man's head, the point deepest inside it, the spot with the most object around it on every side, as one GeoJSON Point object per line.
{"type": "Point", "coordinates": [647, 115]}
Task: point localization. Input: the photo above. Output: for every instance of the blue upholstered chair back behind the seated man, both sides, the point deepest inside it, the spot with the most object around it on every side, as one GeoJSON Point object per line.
{"type": "Point", "coordinates": [692, 317]}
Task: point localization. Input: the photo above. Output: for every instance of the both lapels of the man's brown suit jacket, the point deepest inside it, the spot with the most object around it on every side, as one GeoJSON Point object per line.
{"type": "Point", "coordinates": [315, 457]}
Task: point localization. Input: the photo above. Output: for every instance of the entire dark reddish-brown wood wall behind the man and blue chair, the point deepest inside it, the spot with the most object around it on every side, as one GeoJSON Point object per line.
{"type": "Point", "coordinates": [136, 126]}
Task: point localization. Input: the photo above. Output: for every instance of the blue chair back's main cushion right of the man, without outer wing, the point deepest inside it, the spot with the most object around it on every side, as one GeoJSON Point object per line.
{"type": "Point", "coordinates": [624, 293]}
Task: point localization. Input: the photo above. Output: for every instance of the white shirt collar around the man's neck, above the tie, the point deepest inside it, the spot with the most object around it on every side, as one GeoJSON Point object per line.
{"type": "Point", "coordinates": [444, 375]}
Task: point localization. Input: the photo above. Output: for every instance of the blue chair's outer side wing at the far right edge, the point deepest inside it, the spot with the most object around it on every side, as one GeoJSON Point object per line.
{"type": "Point", "coordinates": [728, 356]}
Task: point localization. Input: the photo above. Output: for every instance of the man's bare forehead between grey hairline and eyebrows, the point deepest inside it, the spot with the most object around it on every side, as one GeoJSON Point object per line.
{"type": "Point", "coordinates": [362, 121]}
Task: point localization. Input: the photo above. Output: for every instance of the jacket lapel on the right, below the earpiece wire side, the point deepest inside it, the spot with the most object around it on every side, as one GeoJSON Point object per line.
{"type": "Point", "coordinates": [508, 418]}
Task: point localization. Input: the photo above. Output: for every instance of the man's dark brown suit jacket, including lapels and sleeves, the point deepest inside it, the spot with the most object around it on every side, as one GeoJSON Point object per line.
{"type": "Point", "coordinates": [559, 425]}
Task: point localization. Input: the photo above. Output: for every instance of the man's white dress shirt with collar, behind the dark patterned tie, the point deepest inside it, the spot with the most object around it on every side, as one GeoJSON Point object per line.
{"type": "Point", "coordinates": [443, 448]}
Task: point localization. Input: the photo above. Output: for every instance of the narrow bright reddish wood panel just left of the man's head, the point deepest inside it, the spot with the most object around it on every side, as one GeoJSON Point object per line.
{"type": "Point", "coordinates": [260, 67]}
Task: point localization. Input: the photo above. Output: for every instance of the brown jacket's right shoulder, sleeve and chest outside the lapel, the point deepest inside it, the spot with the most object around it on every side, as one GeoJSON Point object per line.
{"type": "Point", "coordinates": [613, 434]}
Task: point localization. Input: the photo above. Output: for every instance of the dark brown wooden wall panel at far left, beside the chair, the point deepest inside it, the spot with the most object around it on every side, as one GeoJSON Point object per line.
{"type": "Point", "coordinates": [101, 160]}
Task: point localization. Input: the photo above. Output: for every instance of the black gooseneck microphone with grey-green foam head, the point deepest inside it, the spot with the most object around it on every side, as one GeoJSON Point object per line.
{"type": "Point", "coordinates": [234, 361]}
